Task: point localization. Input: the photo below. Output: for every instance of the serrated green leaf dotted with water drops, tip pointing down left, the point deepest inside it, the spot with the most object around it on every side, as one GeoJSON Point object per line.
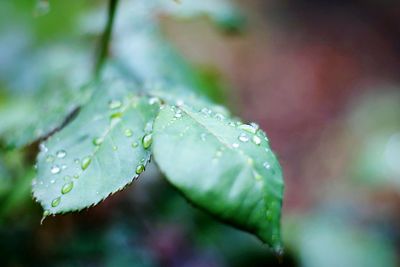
{"type": "Point", "coordinates": [98, 153]}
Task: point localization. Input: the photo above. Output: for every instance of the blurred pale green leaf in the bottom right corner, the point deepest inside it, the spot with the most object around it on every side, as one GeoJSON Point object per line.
{"type": "Point", "coordinates": [330, 243]}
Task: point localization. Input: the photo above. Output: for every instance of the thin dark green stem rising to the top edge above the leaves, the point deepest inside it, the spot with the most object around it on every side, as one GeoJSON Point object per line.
{"type": "Point", "coordinates": [105, 38]}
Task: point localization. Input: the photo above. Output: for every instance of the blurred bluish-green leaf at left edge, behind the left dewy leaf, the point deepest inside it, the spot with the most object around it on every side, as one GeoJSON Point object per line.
{"type": "Point", "coordinates": [40, 100]}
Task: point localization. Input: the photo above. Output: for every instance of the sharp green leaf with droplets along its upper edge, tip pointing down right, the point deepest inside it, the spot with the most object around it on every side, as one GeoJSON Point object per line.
{"type": "Point", "coordinates": [222, 166]}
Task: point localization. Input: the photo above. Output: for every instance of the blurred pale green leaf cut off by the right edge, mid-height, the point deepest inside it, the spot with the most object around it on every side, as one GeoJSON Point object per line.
{"type": "Point", "coordinates": [375, 124]}
